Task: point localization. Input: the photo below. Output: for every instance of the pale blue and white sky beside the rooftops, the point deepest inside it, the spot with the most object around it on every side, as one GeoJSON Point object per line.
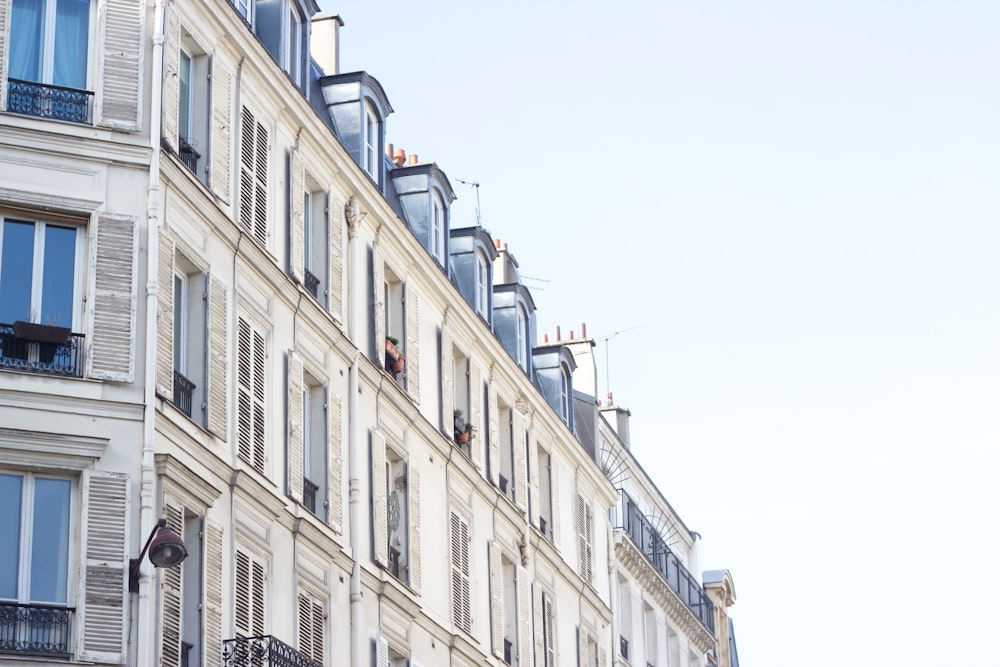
{"type": "Point", "coordinates": [789, 211]}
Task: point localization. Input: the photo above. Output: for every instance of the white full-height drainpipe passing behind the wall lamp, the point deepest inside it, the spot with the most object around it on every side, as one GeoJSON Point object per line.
{"type": "Point", "coordinates": [145, 650]}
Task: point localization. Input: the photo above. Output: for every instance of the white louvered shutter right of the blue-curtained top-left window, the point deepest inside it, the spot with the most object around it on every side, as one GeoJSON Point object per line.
{"type": "Point", "coordinates": [120, 70]}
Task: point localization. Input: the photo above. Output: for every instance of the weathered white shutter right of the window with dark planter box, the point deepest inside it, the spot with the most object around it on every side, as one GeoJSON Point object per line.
{"type": "Point", "coordinates": [113, 267]}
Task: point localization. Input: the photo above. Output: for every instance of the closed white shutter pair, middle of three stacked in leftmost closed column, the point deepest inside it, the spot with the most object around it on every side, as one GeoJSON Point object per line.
{"type": "Point", "coordinates": [250, 395]}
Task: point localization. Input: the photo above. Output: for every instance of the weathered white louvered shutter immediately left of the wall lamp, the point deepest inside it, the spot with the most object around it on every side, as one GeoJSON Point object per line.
{"type": "Point", "coordinates": [103, 607]}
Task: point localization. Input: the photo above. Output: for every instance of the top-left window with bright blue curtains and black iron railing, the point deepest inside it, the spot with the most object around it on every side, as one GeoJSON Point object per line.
{"type": "Point", "coordinates": [49, 56]}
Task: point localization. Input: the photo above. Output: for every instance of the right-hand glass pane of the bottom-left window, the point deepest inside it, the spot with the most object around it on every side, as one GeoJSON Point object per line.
{"type": "Point", "coordinates": [50, 540]}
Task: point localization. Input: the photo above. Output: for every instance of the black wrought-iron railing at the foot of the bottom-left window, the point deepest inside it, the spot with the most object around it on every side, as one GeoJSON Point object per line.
{"type": "Point", "coordinates": [35, 629]}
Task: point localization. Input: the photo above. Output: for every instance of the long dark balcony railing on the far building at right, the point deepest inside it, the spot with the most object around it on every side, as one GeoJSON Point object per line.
{"type": "Point", "coordinates": [651, 543]}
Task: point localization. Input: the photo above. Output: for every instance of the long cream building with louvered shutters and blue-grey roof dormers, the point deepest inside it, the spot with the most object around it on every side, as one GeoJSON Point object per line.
{"type": "Point", "coordinates": [252, 317]}
